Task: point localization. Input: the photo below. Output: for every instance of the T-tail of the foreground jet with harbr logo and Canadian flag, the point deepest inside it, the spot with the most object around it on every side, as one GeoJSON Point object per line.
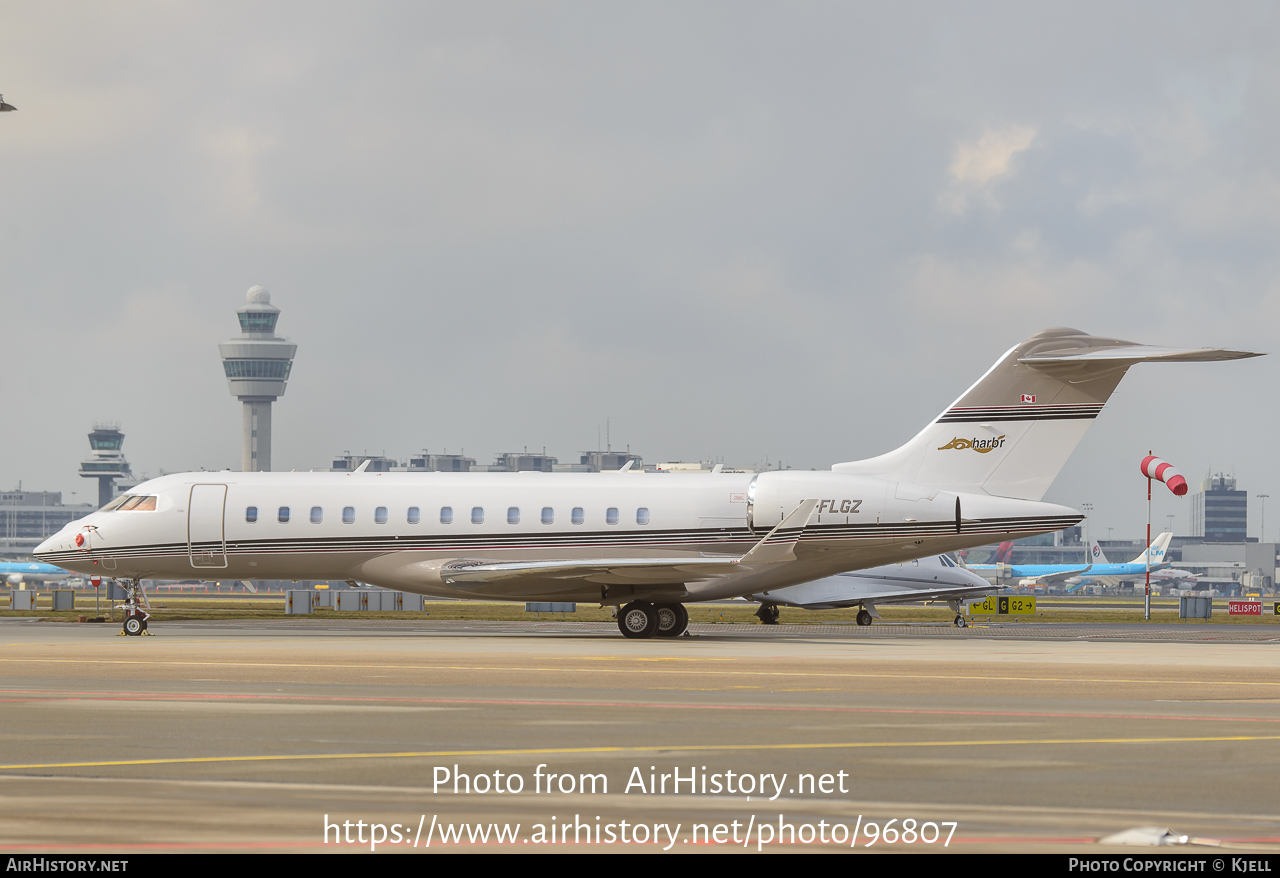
{"type": "Point", "coordinates": [1011, 435]}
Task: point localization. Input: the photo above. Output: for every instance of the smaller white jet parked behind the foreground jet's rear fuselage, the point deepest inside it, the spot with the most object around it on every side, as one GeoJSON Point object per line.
{"type": "Point", "coordinates": [925, 579]}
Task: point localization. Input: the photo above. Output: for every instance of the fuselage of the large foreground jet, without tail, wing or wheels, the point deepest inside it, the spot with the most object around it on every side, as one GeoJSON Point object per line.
{"type": "Point", "coordinates": [397, 531]}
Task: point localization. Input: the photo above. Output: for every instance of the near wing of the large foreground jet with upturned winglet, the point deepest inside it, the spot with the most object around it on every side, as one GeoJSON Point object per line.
{"type": "Point", "coordinates": [779, 545]}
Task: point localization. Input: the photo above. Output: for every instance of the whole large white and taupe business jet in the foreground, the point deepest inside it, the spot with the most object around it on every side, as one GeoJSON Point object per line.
{"type": "Point", "coordinates": [647, 543]}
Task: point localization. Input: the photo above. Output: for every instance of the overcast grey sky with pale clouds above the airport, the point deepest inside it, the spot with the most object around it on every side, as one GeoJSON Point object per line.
{"type": "Point", "coordinates": [742, 231]}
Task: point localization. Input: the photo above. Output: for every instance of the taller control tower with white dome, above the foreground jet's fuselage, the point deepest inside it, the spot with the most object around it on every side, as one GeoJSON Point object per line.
{"type": "Point", "coordinates": [258, 367]}
